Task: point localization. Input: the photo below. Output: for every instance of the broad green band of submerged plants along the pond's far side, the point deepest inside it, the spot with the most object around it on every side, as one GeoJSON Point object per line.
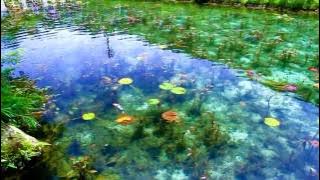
{"type": "Point", "coordinates": [269, 45]}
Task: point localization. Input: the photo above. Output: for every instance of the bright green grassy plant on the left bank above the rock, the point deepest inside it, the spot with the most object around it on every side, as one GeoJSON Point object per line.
{"type": "Point", "coordinates": [20, 99]}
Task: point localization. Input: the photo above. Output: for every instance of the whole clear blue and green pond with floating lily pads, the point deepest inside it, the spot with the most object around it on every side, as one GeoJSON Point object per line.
{"type": "Point", "coordinates": [131, 105]}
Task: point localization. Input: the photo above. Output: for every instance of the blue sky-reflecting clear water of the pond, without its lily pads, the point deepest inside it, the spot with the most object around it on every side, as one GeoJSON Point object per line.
{"type": "Point", "coordinates": [82, 65]}
